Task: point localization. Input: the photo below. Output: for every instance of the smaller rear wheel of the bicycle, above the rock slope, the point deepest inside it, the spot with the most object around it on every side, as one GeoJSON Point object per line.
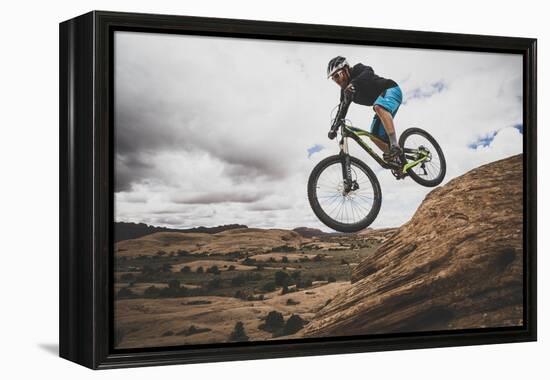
{"type": "Point", "coordinates": [416, 144]}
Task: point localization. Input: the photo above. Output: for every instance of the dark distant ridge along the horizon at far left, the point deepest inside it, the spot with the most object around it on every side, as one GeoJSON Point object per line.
{"type": "Point", "coordinates": [126, 231]}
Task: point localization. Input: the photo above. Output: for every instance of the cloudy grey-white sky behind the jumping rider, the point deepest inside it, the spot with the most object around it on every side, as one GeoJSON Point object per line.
{"type": "Point", "coordinates": [214, 131]}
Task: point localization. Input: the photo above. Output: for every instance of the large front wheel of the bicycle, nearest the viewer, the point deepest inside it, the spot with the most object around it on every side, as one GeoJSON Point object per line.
{"type": "Point", "coordinates": [341, 210]}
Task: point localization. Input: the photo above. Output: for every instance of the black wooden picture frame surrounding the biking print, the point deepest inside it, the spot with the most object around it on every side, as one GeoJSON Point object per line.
{"type": "Point", "coordinates": [86, 187]}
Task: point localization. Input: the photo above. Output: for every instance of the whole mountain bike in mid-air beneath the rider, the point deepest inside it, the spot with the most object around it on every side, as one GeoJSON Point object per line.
{"type": "Point", "coordinates": [344, 192]}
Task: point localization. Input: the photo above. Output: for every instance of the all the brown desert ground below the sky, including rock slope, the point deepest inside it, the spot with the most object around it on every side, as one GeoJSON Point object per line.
{"type": "Point", "coordinates": [456, 264]}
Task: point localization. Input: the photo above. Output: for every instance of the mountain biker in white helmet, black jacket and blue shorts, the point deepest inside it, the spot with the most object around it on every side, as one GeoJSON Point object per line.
{"type": "Point", "coordinates": [359, 84]}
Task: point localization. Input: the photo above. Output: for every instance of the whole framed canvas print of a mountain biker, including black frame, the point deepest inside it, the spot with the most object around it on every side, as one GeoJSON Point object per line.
{"type": "Point", "coordinates": [237, 189]}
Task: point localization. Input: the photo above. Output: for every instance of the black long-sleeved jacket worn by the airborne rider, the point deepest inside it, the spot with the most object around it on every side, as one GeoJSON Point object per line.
{"type": "Point", "coordinates": [368, 85]}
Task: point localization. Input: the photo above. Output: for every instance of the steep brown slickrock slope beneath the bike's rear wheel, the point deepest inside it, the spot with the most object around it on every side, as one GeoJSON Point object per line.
{"type": "Point", "coordinates": [457, 264]}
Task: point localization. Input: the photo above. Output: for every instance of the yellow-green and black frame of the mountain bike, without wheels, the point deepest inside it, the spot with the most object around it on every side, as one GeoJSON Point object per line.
{"type": "Point", "coordinates": [356, 133]}
